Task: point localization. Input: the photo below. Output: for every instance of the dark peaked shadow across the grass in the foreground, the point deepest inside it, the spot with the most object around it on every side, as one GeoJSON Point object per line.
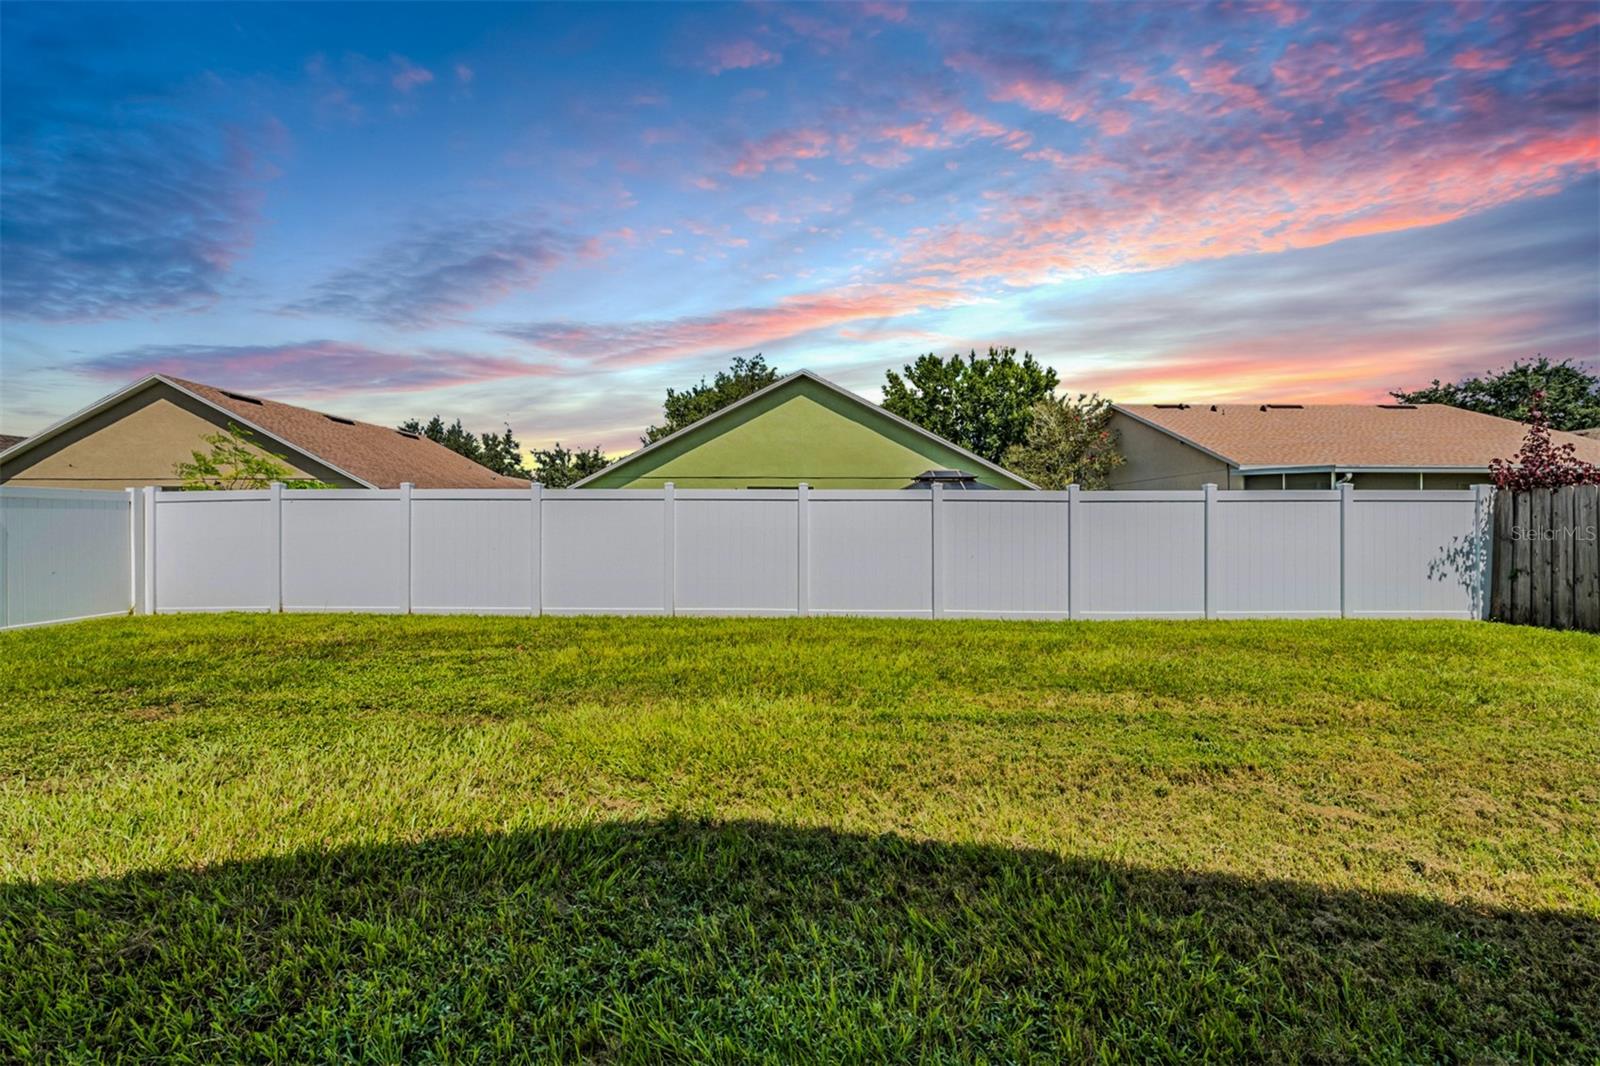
{"type": "Point", "coordinates": [687, 940]}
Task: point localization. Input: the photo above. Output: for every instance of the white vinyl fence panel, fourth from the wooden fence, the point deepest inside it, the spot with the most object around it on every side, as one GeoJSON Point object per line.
{"type": "Point", "coordinates": [1004, 555]}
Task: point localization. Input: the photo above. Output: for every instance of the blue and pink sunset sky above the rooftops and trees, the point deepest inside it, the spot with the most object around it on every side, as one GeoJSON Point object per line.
{"type": "Point", "coordinates": [548, 215]}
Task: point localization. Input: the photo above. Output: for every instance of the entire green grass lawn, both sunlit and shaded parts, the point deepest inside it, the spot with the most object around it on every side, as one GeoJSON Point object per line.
{"type": "Point", "coordinates": [417, 840]}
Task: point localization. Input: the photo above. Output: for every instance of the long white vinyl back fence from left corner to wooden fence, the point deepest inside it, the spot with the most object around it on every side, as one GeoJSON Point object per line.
{"type": "Point", "coordinates": [986, 555]}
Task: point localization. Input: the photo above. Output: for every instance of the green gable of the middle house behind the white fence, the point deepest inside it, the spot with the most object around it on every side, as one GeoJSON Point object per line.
{"type": "Point", "coordinates": [799, 430]}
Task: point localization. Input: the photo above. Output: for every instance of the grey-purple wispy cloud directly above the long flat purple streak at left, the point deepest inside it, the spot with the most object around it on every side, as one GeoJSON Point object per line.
{"type": "Point", "coordinates": [441, 271]}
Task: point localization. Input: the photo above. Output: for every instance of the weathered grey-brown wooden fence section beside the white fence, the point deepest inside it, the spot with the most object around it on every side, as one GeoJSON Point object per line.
{"type": "Point", "coordinates": [1548, 558]}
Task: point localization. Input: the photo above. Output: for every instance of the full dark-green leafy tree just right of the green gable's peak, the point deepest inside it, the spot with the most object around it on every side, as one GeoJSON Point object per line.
{"type": "Point", "coordinates": [983, 404]}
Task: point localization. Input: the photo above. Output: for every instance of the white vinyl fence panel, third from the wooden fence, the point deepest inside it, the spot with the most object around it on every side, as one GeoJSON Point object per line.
{"type": "Point", "coordinates": [1142, 555]}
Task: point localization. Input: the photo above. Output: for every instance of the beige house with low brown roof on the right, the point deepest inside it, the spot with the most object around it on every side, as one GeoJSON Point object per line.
{"type": "Point", "coordinates": [1314, 446]}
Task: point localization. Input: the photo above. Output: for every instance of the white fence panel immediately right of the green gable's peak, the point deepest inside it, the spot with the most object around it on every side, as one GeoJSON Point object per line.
{"type": "Point", "coordinates": [871, 553]}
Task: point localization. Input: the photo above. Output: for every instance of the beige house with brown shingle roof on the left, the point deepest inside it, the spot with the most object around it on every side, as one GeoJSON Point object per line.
{"type": "Point", "coordinates": [137, 436]}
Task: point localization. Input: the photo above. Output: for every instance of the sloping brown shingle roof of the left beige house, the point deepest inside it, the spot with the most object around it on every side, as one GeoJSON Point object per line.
{"type": "Point", "coordinates": [375, 454]}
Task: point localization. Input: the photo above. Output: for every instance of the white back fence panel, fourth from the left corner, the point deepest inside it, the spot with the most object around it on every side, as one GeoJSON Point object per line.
{"type": "Point", "coordinates": [604, 551]}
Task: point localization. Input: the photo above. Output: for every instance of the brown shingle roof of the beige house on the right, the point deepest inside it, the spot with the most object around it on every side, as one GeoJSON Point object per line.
{"type": "Point", "coordinates": [1348, 435]}
